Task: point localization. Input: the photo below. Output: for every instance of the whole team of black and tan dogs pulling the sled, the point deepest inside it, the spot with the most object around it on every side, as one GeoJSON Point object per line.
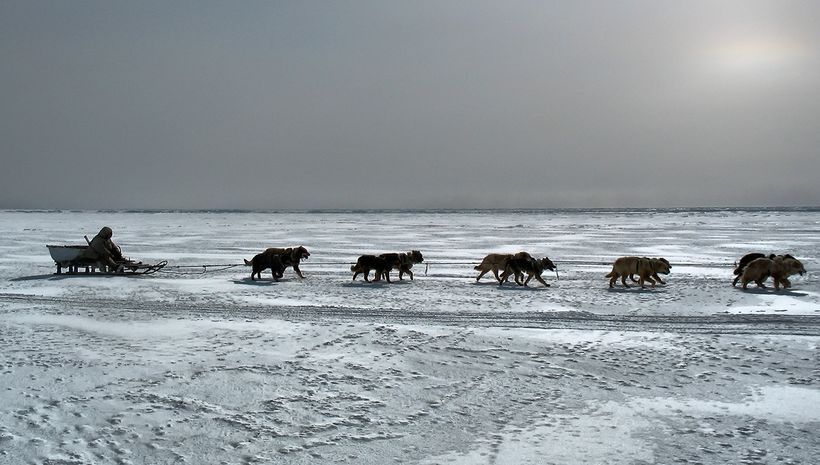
{"type": "Point", "coordinates": [753, 267]}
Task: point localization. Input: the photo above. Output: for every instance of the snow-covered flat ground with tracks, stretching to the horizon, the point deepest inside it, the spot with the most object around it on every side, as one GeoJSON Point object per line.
{"type": "Point", "coordinates": [191, 367]}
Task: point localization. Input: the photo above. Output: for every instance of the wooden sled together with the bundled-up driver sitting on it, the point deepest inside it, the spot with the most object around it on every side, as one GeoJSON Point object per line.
{"type": "Point", "coordinates": [100, 255]}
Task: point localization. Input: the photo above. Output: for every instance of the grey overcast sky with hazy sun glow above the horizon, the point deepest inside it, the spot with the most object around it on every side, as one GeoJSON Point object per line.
{"type": "Point", "coordinates": [408, 104]}
